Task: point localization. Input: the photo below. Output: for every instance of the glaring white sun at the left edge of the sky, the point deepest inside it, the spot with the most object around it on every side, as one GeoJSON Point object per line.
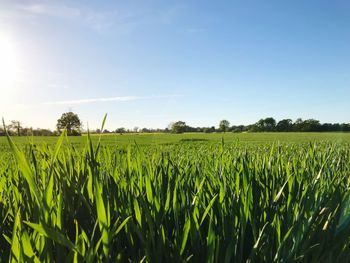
{"type": "Point", "coordinates": [8, 64]}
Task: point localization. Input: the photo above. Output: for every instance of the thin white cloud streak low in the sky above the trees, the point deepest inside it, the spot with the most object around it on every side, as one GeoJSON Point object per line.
{"type": "Point", "coordinates": [109, 99]}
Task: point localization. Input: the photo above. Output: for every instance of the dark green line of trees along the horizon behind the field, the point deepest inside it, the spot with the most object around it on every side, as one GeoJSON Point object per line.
{"type": "Point", "coordinates": [71, 122]}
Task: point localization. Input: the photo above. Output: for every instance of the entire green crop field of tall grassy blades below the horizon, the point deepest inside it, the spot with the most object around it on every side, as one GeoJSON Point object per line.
{"type": "Point", "coordinates": [266, 197]}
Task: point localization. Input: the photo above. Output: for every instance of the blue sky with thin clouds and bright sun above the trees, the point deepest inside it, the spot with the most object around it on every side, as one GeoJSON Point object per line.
{"type": "Point", "coordinates": [150, 63]}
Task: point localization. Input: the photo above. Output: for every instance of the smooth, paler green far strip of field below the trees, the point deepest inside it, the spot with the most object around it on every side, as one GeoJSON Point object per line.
{"type": "Point", "coordinates": [164, 138]}
